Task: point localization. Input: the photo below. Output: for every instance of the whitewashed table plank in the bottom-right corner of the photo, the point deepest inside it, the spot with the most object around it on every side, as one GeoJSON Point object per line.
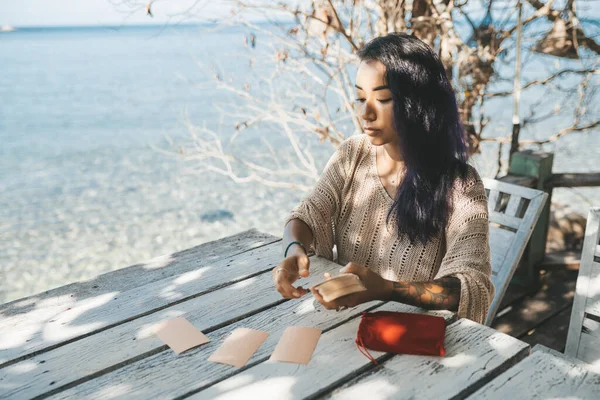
{"type": "Point", "coordinates": [543, 375]}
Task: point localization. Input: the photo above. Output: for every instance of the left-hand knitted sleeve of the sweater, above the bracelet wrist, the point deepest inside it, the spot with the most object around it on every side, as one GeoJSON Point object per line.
{"type": "Point", "coordinates": [320, 208]}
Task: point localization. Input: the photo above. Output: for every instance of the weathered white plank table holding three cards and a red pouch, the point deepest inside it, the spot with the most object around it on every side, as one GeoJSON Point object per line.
{"type": "Point", "coordinates": [95, 339]}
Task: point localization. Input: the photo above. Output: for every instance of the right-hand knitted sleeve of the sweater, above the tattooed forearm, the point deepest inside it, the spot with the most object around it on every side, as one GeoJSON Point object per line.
{"type": "Point", "coordinates": [467, 248]}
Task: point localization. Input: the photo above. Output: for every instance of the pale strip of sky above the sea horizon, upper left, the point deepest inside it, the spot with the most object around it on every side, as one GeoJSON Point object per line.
{"type": "Point", "coordinates": [100, 12]}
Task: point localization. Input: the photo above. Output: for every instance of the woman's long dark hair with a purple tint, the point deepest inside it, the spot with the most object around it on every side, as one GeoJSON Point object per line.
{"type": "Point", "coordinates": [431, 135]}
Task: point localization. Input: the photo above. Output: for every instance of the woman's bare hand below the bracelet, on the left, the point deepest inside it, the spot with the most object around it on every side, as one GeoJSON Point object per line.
{"type": "Point", "coordinates": [288, 271]}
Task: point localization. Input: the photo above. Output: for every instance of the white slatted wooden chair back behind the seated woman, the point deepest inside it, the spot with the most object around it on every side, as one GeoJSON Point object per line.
{"type": "Point", "coordinates": [513, 213]}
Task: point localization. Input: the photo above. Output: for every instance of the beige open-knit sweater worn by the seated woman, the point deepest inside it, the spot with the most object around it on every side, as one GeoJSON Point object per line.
{"type": "Point", "coordinates": [348, 209]}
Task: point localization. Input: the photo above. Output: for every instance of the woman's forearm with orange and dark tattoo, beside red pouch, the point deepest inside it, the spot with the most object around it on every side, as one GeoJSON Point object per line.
{"type": "Point", "coordinates": [441, 294]}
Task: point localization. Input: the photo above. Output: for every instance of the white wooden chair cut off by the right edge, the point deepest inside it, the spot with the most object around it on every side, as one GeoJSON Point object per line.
{"type": "Point", "coordinates": [583, 340]}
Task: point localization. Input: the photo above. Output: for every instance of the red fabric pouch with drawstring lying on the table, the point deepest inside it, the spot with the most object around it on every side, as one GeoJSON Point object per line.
{"type": "Point", "coordinates": [401, 333]}
